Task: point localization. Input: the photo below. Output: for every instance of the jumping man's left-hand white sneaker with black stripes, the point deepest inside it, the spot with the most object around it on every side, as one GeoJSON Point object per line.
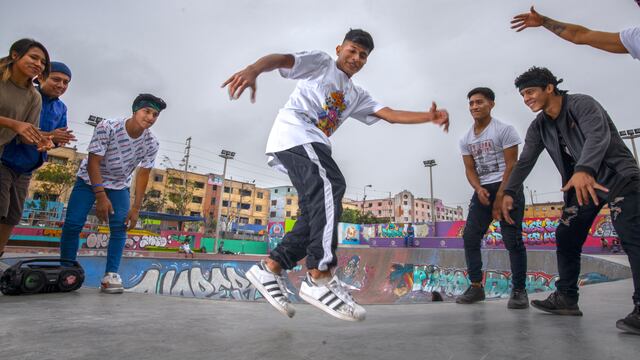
{"type": "Point", "coordinates": [272, 288]}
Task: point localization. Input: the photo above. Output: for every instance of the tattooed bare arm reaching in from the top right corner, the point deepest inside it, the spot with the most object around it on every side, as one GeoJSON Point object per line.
{"type": "Point", "coordinates": [576, 34]}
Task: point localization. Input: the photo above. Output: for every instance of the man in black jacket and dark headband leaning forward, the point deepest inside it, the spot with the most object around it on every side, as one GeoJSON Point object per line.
{"type": "Point", "coordinates": [596, 168]}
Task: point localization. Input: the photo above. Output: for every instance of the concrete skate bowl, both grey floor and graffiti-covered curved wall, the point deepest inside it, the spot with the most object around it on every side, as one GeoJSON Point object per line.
{"type": "Point", "coordinates": [186, 324]}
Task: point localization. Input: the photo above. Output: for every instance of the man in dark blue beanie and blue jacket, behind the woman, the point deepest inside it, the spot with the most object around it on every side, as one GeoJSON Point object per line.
{"type": "Point", "coordinates": [53, 117]}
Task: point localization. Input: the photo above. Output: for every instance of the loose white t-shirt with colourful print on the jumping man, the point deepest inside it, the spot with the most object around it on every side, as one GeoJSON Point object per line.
{"type": "Point", "coordinates": [323, 99]}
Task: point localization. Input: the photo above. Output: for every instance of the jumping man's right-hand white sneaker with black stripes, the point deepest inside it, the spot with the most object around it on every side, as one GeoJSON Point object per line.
{"type": "Point", "coordinates": [332, 298]}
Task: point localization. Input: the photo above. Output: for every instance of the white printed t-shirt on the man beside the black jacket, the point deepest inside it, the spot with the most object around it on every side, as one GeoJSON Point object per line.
{"type": "Point", "coordinates": [487, 149]}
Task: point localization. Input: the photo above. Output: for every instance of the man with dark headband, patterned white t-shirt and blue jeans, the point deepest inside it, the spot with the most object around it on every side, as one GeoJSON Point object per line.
{"type": "Point", "coordinates": [117, 148]}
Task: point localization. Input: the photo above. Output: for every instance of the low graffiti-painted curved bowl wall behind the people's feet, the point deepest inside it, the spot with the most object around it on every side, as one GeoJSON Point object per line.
{"type": "Point", "coordinates": [375, 276]}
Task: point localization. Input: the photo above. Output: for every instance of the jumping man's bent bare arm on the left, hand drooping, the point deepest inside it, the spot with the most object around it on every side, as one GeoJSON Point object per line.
{"type": "Point", "coordinates": [246, 78]}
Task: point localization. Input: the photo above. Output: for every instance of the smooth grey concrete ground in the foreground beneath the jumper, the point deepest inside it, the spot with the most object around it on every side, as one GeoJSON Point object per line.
{"type": "Point", "coordinates": [90, 325]}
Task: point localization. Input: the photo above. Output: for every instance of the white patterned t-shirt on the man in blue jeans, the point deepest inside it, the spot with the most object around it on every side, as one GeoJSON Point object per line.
{"type": "Point", "coordinates": [121, 154]}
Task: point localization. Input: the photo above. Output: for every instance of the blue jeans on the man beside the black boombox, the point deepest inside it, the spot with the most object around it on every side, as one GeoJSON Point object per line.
{"type": "Point", "coordinates": [80, 203]}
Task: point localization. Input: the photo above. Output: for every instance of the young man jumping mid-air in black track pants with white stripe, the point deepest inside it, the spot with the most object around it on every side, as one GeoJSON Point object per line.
{"type": "Point", "coordinates": [324, 97]}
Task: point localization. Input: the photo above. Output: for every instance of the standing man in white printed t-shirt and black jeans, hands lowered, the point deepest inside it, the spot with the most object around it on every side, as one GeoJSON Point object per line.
{"type": "Point", "coordinates": [489, 152]}
